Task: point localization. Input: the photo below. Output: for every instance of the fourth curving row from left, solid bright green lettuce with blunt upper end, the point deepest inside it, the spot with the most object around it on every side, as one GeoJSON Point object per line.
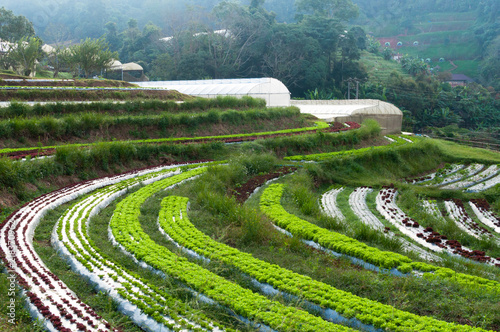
{"type": "Point", "coordinates": [174, 221]}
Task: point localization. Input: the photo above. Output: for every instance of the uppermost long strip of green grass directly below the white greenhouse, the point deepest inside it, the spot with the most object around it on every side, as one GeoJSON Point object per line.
{"type": "Point", "coordinates": [19, 109]}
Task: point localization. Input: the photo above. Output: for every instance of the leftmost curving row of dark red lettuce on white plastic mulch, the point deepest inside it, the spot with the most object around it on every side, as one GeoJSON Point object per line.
{"type": "Point", "coordinates": [52, 298]}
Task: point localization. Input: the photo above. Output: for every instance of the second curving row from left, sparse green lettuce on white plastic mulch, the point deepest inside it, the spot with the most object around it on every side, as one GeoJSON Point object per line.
{"type": "Point", "coordinates": [111, 277]}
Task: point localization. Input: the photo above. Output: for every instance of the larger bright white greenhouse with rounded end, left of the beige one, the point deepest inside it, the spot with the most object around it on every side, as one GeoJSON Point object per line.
{"type": "Point", "coordinates": [272, 90]}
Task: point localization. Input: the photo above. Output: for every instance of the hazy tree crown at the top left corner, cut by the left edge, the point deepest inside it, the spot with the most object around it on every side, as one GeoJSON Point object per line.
{"type": "Point", "coordinates": [13, 28]}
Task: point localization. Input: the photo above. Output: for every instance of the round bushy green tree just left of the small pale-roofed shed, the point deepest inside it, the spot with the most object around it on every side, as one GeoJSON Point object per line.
{"type": "Point", "coordinates": [92, 56]}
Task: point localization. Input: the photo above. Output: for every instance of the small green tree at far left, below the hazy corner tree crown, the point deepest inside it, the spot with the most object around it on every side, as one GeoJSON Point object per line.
{"type": "Point", "coordinates": [24, 54]}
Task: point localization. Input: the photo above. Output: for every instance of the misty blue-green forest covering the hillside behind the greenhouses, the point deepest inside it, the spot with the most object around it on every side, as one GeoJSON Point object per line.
{"type": "Point", "coordinates": [314, 46]}
